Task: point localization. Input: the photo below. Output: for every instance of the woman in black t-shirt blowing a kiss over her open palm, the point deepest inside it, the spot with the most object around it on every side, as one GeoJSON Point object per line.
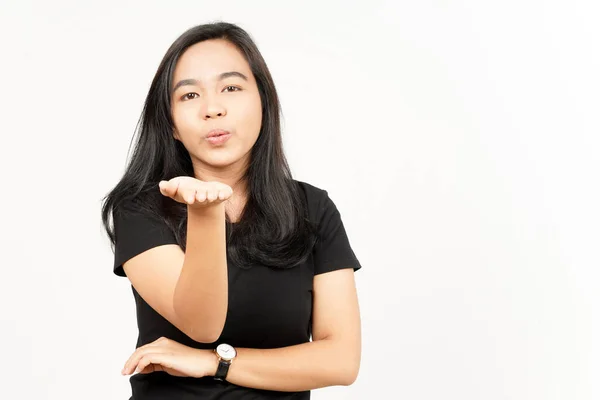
{"type": "Point", "coordinates": [234, 265]}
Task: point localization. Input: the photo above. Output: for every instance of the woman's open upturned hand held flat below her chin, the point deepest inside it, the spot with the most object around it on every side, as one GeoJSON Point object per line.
{"type": "Point", "coordinates": [194, 192]}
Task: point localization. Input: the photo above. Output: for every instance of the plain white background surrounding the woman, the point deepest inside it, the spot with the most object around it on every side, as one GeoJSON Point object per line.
{"type": "Point", "coordinates": [459, 139]}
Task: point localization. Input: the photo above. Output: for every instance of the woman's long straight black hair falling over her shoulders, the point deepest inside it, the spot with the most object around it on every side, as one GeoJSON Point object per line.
{"type": "Point", "coordinates": [274, 229]}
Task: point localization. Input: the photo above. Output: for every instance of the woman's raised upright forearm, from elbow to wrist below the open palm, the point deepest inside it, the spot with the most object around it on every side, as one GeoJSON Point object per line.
{"type": "Point", "coordinates": [200, 295]}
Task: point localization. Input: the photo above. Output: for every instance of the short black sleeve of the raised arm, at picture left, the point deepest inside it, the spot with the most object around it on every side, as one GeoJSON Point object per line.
{"type": "Point", "coordinates": [136, 232]}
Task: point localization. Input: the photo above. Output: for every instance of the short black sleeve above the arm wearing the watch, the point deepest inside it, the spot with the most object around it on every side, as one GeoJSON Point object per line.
{"type": "Point", "coordinates": [332, 250]}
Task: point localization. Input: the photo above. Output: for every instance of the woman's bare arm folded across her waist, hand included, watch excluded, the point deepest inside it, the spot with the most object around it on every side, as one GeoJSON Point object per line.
{"type": "Point", "coordinates": [332, 358]}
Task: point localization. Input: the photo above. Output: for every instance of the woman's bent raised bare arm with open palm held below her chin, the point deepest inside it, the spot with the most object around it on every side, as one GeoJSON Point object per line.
{"type": "Point", "coordinates": [189, 289]}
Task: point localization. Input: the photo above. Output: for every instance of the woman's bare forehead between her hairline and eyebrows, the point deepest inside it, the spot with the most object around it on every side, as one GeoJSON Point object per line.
{"type": "Point", "coordinates": [205, 60]}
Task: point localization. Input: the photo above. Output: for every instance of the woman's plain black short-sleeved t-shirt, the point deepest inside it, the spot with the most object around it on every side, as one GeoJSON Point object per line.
{"type": "Point", "coordinates": [267, 308]}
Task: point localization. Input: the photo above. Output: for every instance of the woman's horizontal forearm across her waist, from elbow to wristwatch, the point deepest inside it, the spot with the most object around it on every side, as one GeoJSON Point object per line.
{"type": "Point", "coordinates": [301, 367]}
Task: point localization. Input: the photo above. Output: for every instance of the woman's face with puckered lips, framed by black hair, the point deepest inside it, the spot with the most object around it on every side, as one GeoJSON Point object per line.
{"type": "Point", "coordinates": [215, 89]}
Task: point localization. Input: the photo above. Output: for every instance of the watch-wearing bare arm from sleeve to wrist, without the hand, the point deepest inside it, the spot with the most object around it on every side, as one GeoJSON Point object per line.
{"type": "Point", "coordinates": [332, 358]}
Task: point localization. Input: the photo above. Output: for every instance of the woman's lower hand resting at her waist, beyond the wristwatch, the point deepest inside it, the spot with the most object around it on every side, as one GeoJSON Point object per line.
{"type": "Point", "coordinates": [173, 358]}
